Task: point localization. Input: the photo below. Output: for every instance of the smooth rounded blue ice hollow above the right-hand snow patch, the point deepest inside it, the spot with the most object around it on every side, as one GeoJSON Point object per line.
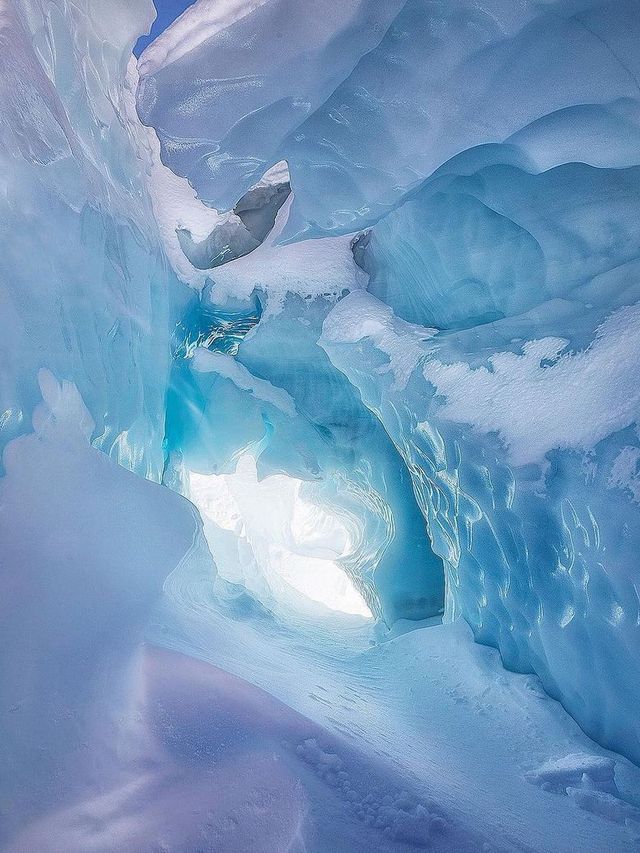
{"type": "Point", "coordinates": [484, 239]}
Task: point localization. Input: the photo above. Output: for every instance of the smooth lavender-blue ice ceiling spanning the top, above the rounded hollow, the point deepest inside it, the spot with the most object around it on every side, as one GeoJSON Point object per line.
{"type": "Point", "coordinates": [391, 92]}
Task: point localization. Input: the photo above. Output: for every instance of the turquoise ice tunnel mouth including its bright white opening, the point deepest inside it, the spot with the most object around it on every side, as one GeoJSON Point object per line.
{"type": "Point", "coordinates": [303, 495]}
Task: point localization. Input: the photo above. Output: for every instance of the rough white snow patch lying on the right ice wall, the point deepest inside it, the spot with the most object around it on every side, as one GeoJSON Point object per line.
{"type": "Point", "coordinates": [574, 402]}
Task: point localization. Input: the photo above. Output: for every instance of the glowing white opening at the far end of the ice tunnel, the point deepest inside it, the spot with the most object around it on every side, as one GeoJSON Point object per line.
{"type": "Point", "coordinates": [265, 535]}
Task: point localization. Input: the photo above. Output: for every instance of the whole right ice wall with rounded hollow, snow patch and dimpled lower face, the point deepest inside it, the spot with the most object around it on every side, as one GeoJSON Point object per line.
{"type": "Point", "coordinates": [518, 412]}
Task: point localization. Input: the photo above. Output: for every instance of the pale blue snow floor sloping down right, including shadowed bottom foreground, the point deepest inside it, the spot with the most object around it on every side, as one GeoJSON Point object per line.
{"type": "Point", "coordinates": [420, 740]}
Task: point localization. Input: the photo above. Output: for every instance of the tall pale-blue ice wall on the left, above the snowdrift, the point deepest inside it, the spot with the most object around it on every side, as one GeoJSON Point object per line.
{"type": "Point", "coordinates": [84, 282]}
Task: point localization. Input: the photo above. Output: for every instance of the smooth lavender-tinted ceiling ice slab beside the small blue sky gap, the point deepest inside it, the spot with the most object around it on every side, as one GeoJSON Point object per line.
{"type": "Point", "coordinates": [276, 64]}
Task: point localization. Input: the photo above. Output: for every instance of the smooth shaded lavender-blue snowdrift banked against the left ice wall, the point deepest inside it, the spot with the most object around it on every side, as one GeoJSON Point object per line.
{"type": "Point", "coordinates": [83, 566]}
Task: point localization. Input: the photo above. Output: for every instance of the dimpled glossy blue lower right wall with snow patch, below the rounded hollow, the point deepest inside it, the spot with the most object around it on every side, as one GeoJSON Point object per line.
{"type": "Point", "coordinates": [516, 450]}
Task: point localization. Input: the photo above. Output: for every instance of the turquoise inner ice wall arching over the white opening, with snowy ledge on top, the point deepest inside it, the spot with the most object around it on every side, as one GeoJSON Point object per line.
{"type": "Point", "coordinates": [297, 415]}
